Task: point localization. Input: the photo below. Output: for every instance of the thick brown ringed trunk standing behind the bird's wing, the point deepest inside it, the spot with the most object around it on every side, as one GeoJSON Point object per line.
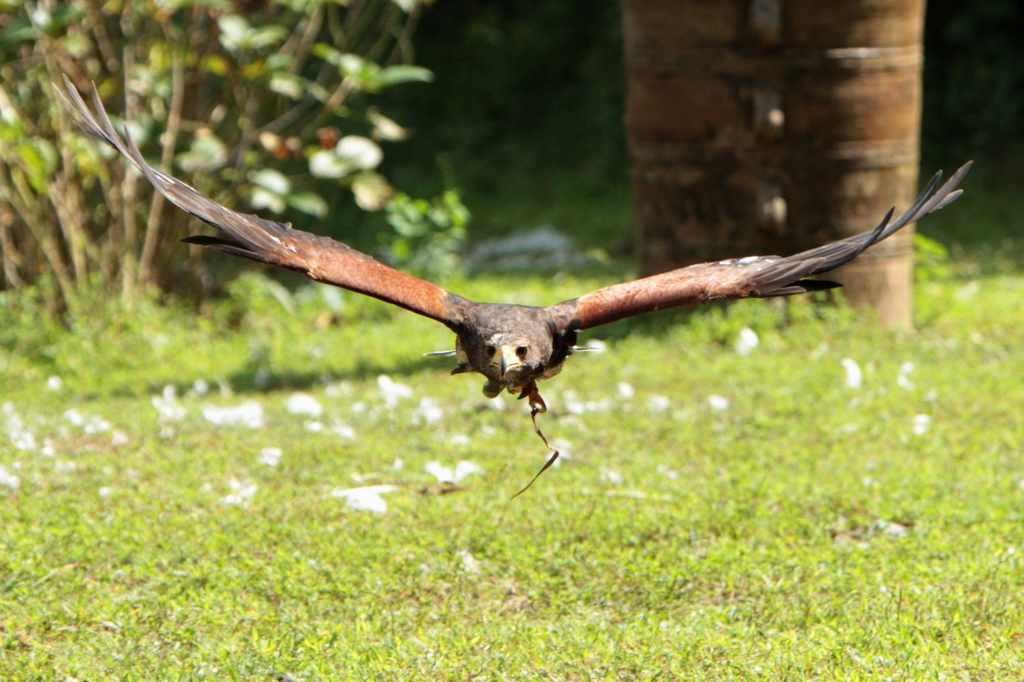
{"type": "Point", "coordinates": [773, 126]}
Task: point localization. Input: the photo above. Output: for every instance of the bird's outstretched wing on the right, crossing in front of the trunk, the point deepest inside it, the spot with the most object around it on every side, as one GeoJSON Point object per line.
{"type": "Point", "coordinates": [755, 277]}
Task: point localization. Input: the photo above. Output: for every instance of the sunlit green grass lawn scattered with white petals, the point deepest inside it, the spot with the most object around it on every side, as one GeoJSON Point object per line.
{"type": "Point", "coordinates": [805, 532]}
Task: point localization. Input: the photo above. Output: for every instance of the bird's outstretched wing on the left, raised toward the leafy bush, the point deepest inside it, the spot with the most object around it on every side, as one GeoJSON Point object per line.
{"type": "Point", "coordinates": [319, 259]}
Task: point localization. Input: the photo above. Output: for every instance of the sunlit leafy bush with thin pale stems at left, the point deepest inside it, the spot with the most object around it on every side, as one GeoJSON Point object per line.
{"type": "Point", "coordinates": [265, 107]}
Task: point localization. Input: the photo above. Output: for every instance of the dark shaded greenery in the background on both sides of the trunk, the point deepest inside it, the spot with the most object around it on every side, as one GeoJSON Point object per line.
{"type": "Point", "coordinates": [528, 108]}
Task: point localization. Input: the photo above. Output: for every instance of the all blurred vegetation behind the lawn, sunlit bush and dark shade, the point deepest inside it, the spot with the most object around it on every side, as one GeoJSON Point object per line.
{"type": "Point", "coordinates": [297, 108]}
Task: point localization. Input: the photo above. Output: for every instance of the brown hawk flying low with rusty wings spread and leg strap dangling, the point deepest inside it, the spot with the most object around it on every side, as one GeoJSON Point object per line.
{"type": "Point", "coordinates": [515, 347]}
